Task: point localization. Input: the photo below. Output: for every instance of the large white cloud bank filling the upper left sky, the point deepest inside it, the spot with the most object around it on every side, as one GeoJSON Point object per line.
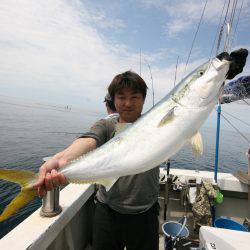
{"type": "Point", "coordinates": [54, 47]}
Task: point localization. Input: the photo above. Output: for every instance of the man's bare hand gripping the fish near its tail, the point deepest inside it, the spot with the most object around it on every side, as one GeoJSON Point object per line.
{"type": "Point", "coordinates": [49, 178]}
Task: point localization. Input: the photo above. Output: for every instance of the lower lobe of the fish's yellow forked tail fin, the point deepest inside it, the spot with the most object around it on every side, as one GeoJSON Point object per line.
{"type": "Point", "coordinates": [23, 198]}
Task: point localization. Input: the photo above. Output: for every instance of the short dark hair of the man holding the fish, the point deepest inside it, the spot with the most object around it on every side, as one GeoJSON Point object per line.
{"type": "Point", "coordinates": [128, 79]}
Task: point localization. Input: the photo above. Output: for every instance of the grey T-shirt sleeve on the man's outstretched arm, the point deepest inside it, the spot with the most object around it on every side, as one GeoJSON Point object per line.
{"type": "Point", "coordinates": [98, 131]}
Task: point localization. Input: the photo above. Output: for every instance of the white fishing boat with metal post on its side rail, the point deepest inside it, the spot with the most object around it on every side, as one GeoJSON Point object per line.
{"type": "Point", "coordinates": [72, 227]}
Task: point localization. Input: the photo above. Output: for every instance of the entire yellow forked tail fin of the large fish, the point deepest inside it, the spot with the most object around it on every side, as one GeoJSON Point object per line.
{"type": "Point", "coordinates": [24, 178]}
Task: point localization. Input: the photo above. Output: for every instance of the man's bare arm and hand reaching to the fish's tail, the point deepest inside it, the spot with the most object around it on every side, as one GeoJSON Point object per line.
{"type": "Point", "coordinates": [49, 178]}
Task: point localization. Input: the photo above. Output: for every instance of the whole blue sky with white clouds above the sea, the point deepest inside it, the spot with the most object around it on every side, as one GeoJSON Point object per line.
{"type": "Point", "coordinates": [66, 52]}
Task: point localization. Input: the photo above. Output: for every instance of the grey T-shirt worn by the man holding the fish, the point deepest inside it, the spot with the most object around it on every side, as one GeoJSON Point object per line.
{"type": "Point", "coordinates": [130, 194]}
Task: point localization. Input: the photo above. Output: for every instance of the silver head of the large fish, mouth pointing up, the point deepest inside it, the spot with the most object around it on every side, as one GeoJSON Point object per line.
{"type": "Point", "coordinates": [205, 84]}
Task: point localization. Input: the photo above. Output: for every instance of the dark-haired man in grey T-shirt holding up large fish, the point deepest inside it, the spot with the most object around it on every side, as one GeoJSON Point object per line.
{"type": "Point", "coordinates": [127, 215]}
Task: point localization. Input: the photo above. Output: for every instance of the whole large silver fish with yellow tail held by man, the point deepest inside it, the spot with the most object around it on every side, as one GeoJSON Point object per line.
{"type": "Point", "coordinates": [152, 139]}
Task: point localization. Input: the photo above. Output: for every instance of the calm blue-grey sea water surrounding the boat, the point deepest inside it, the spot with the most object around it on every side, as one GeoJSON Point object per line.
{"type": "Point", "coordinates": [30, 132]}
